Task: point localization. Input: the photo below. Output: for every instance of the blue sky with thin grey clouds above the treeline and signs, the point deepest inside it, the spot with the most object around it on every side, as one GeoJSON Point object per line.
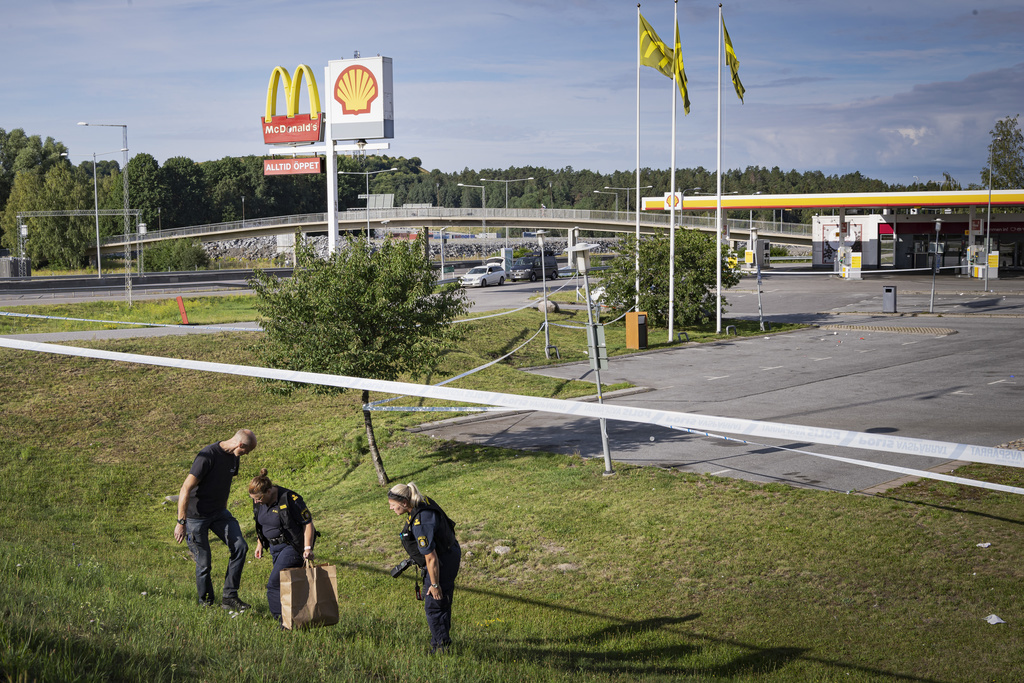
{"type": "Point", "coordinates": [892, 90]}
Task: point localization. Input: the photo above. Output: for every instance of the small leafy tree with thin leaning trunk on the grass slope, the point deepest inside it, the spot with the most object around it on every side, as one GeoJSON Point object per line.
{"type": "Point", "coordinates": [373, 315]}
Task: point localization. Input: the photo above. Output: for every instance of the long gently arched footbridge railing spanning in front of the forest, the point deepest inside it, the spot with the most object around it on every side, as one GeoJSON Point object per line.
{"type": "Point", "coordinates": [355, 217]}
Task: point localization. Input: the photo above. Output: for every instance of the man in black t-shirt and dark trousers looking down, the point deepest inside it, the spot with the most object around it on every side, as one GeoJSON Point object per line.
{"type": "Point", "coordinates": [203, 506]}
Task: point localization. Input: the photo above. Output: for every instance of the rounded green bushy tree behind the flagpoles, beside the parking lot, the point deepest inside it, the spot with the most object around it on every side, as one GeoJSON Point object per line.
{"type": "Point", "coordinates": [696, 278]}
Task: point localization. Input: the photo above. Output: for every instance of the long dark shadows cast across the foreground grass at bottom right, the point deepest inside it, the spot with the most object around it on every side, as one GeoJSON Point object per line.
{"type": "Point", "coordinates": [569, 656]}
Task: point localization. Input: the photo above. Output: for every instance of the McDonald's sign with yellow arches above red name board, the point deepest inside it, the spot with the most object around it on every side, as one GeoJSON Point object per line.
{"type": "Point", "coordinates": [292, 127]}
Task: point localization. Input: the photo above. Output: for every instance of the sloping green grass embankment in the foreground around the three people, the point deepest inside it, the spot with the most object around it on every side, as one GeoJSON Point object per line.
{"type": "Point", "coordinates": [650, 575]}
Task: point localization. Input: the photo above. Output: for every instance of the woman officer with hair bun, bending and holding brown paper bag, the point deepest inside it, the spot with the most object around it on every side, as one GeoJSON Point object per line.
{"type": "Point", "coordinates": [285, 527]}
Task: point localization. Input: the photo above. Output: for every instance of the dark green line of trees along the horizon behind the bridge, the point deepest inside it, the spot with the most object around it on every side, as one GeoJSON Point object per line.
{"type": "Point", "coordinates": [38, 175]}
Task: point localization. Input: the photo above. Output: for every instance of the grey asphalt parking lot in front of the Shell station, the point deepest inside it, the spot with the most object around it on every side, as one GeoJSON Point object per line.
{"type": "Point", "coordinates": [954, 376]}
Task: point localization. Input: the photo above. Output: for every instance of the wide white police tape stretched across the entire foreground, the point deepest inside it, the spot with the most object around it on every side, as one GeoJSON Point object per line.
{"type": "Point", "coordinates": [667, 419]}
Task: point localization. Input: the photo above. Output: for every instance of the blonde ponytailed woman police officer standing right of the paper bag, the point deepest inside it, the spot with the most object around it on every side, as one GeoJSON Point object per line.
{"type": "Point", "coordinates": [429, 537]}
